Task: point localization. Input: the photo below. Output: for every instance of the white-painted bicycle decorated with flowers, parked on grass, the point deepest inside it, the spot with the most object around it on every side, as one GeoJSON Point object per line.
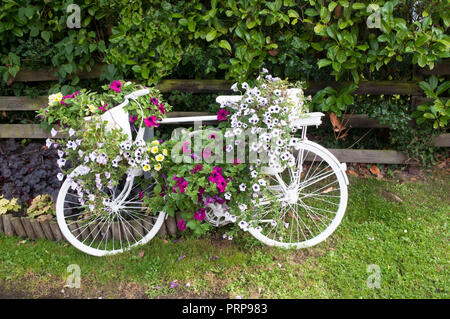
{"type": "Point", "coordinates": [311, 198]}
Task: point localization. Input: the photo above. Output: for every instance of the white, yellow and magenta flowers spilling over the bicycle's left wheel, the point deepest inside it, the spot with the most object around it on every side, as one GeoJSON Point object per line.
{"type": "Point", "coordinates": [100, 158]}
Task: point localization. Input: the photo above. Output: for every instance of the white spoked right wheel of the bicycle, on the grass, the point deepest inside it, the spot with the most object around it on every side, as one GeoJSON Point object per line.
{"type": "Point", "coordinates": [305, 203]}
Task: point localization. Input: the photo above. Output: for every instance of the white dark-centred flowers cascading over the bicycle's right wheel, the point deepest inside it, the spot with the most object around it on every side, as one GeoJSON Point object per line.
{"type": "Point", "coordinates": [268, 113]}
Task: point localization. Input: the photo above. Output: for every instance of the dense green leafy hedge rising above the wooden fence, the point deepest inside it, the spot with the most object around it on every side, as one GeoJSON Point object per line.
{"type": "Point", "coordinates": [149, 40]}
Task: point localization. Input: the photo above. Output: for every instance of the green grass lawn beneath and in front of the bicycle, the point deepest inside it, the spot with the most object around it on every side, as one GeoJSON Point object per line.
{"type": "Point", "coordinates": [402, 228]}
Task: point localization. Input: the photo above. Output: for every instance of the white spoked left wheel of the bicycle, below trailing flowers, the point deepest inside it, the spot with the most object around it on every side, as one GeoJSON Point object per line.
{"type": "Point", "coordinates": [122, 224]}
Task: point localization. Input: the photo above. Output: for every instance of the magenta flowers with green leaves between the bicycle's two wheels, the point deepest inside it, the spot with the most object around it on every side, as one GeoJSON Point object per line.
{"type": "Point", "coordinates": [197, 183]}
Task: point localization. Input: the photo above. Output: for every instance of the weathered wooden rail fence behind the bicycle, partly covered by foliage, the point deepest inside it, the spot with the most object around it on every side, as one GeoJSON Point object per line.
{"type": "Point", "coordinates": [10, 103]}
